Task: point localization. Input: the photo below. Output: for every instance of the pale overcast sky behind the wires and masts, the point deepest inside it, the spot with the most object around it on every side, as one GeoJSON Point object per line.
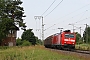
{"type": "Point", "coordinates": [59, 14]}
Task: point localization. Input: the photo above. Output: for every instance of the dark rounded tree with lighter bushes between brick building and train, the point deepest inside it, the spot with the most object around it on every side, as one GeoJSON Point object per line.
{"type": "Point", "coordinates": [28, 38]}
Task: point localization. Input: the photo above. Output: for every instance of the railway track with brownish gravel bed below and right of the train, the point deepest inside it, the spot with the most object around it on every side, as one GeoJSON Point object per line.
{"type": "Point", "coordinates": [82, 54]}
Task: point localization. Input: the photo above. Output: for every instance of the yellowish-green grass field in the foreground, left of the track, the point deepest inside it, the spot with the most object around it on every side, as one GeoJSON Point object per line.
{"type": "Point", "coordinates": [32, 53]}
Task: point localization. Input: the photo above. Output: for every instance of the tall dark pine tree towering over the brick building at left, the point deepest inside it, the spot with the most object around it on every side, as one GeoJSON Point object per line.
{"type": "Point", "coordinates": [11, 15]}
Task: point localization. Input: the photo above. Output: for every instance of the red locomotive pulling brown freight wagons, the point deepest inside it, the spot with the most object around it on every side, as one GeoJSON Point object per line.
{"type": "Point", "coordinates": [65, 39]}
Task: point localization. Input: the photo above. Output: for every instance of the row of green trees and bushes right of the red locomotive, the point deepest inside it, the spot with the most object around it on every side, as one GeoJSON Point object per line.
{"type": "Point", "coordinates": [85, 38]}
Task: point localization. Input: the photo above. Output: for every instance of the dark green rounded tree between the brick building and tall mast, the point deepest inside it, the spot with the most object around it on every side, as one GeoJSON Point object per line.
{"type": "Point", "coordinates": [29, 36]}
